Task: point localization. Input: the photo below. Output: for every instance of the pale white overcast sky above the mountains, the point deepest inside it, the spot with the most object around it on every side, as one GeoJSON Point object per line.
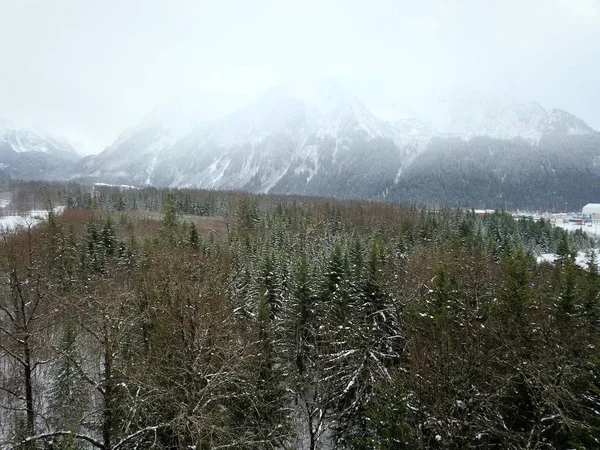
{"type": "Point", "coordinates": [87, 69]}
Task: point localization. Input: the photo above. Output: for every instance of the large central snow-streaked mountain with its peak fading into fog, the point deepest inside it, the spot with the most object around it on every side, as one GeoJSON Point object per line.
{"type": "Point", "coordinates": [289, 133]}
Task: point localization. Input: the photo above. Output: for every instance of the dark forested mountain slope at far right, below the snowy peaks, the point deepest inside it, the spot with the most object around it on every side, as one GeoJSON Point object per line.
{"type": "Point", "coordinates": [557, 172]}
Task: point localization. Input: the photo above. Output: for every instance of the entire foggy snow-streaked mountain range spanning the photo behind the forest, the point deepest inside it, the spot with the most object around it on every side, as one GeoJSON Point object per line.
{"type": "Point", "coordinates": [316, 137]}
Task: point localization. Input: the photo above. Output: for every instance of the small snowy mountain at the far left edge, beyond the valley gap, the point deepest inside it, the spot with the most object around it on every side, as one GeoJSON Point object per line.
{"type": "Point", "coordinates": [29, 154]}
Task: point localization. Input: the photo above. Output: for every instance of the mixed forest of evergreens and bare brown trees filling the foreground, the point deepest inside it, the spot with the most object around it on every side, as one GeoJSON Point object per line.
{"type": "Point", "coordinates": [308, 324]}
